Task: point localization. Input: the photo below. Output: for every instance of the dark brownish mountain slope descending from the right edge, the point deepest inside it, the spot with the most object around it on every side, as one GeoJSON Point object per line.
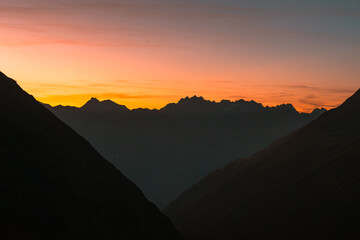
{"type": "Point", "coordinates": [304, 186]}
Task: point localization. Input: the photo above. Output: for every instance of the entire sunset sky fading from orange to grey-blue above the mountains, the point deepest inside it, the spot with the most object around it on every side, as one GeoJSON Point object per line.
{"type": "Point", "coordinates": [147, 53]}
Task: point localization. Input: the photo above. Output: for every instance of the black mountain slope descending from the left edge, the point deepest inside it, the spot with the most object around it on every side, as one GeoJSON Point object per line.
{"type": "Point", "coordinates": [54, 185]}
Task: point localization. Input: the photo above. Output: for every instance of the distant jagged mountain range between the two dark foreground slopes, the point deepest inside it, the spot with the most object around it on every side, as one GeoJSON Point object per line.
{"type": "Point", "coordinates": [166, 151]}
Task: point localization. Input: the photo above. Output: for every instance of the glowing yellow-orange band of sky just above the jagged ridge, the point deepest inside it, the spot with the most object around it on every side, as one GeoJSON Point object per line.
{"type": "Point", "coordinates": [268, 96]}
